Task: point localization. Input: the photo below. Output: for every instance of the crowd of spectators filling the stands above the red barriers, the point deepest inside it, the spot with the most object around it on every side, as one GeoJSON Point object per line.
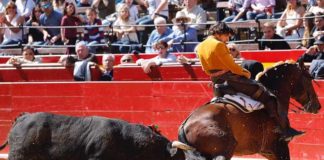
{"type": "Point", "coordinates": [142, 26]}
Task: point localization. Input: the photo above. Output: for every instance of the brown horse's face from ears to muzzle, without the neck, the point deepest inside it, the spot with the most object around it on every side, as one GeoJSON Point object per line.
{"type": "Point", "coordinates": [303, 90]}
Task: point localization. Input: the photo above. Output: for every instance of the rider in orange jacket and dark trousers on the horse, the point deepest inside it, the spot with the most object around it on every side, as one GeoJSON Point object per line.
{"type": "Point", "coordinates": [229, 77]}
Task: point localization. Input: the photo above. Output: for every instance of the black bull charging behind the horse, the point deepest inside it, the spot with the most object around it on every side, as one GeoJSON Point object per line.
{"type": "Point", "coordinates": [45, 136]}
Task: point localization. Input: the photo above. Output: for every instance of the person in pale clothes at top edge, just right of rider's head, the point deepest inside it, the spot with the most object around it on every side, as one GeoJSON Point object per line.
{"type": "Point", "coordinates": [239, 9]}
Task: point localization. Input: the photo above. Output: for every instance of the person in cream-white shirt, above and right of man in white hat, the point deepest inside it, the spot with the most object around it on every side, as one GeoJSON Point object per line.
{"type": "Point", "coordinates": [197, 15]}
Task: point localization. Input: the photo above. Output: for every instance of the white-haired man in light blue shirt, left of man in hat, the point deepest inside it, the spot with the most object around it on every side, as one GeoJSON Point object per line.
{"type": "Point", "coordinates": [161, 31]}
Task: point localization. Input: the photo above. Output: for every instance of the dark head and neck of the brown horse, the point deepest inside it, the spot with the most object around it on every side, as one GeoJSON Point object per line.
{"type": "Point", "coordinates": [291, 79]}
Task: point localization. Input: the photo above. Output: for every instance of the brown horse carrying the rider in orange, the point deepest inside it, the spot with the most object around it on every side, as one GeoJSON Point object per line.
{"type": "Point", "coordinates": [219, 130]}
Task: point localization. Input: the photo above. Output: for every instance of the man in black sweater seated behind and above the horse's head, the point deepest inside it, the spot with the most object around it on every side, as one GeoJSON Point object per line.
{"type": "Point", "coordinates": [269, 34]}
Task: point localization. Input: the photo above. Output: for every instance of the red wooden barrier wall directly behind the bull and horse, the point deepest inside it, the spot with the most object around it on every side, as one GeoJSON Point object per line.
{"type": "Point", "coordinates": [164, 103]}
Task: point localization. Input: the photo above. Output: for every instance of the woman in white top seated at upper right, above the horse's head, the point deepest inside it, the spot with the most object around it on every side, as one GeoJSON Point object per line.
{"type": "Point", "coordinates": [290, 23]}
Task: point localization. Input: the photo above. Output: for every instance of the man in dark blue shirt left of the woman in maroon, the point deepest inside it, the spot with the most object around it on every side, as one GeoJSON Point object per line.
{"type": "Point", "coordinates": [52, 18]}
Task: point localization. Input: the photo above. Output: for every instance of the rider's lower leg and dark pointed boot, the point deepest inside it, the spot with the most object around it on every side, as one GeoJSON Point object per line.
{"type": "Point", "coordinates": [288, 133]}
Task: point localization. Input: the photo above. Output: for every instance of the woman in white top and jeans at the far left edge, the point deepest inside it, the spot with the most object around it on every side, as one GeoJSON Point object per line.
{"type": "Point", "coordinates": [12, 20]}
